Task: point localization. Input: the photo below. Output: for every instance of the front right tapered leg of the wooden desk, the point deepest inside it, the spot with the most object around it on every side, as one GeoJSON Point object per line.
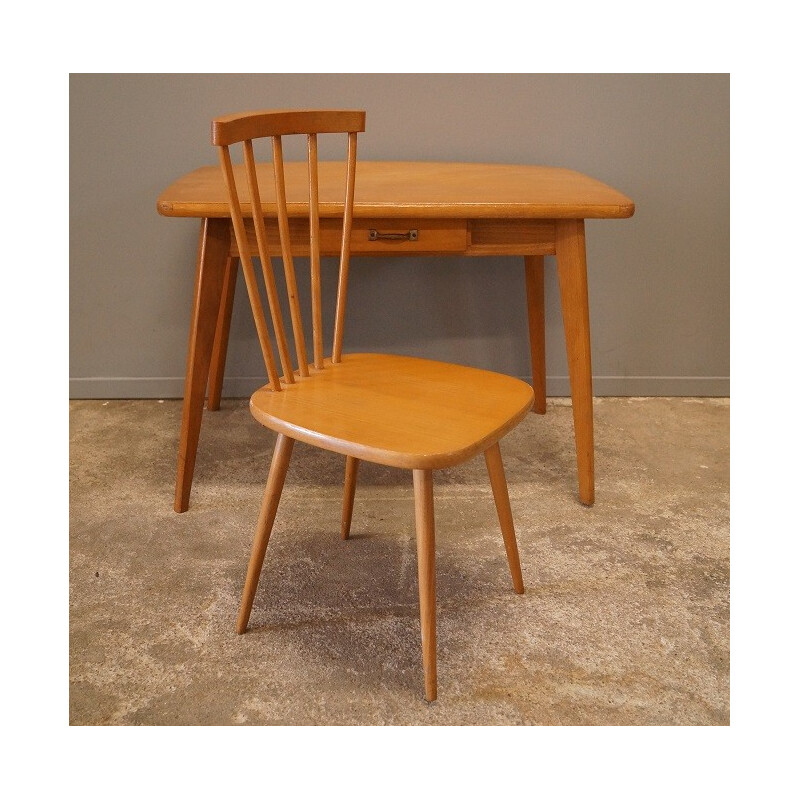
{"type": "Point", "coordinates": [571, 257]}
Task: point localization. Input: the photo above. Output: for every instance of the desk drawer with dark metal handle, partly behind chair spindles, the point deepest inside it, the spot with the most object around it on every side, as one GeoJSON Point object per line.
{"type": "Point", "coordinates": [377, 237]}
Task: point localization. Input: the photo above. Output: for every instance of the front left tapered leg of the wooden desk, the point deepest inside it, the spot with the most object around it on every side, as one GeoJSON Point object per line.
{"type": "Point", "coordinates": [212, 257]}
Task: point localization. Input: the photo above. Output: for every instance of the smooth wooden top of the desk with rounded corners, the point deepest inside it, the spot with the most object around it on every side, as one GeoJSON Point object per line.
{"type": "Point", "coordinates": [393, 189]}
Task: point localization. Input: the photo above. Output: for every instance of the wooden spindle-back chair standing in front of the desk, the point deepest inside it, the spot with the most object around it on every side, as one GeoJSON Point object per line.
{"type": "Point", "coordinates": [397, 411]}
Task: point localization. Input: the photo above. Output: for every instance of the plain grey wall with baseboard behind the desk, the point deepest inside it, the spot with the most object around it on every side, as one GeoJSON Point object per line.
{"type": "Point", "coordinates": [659, 282]}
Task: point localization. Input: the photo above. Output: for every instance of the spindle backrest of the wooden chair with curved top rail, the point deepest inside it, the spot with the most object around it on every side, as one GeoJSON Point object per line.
{"type": "Point", "coordinates": [244, 128]}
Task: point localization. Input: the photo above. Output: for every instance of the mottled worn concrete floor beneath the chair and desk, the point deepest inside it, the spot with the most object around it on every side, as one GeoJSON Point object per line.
{"type": "Point", "coordinates": [625, 619]}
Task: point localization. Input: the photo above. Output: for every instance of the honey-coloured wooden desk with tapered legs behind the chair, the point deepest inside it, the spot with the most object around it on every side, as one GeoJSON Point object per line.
{"type": "Point", "coordinates": [427, 209]}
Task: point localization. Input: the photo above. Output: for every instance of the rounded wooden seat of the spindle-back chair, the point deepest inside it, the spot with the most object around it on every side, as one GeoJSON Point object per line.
{"type": "Point", "coordinates": [396, 410]}
